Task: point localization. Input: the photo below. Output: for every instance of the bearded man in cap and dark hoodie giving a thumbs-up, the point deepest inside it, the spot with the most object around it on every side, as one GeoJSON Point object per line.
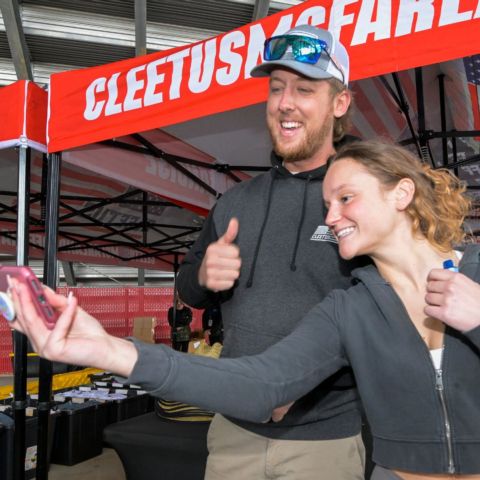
{"type": "Point", "coordinates": [266, 253]}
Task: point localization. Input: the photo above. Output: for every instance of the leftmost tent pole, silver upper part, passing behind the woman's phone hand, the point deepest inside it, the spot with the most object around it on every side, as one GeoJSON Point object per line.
{"type": "Point", "coordinates": [20, 343]}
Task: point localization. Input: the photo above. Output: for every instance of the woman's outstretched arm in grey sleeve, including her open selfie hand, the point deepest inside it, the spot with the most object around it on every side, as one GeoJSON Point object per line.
{"type": "Point", "coordinates": [248, 388]}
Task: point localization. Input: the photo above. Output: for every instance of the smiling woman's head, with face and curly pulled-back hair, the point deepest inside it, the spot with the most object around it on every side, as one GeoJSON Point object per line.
{"type": "Point", "coordinates": [383, 182]}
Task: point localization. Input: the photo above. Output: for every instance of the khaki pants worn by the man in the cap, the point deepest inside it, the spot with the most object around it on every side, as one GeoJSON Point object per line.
{"type": "Point", "coordinates": [237, 454]}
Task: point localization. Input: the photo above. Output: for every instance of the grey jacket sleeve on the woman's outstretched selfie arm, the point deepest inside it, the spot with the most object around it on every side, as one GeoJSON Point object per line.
{"type": "Point", "coordinates": [248, 388]}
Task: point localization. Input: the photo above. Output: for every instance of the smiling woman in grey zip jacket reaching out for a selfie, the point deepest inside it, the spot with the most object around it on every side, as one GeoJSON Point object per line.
{"type": "Point", "coordinates": [409, 328]}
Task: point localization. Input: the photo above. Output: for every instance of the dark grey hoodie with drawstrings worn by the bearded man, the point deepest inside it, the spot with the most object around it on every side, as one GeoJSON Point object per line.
{"type": "Point", "coordinates": [290, 262]}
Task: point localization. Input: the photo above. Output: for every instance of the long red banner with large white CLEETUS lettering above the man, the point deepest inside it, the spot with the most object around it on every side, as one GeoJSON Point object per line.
{"type": "Point", "coordinates": [212, 76]}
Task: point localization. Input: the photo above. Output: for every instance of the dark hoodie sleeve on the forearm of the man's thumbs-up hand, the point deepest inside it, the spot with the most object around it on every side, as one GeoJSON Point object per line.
{"type": "Point", "coordinates": [187, 284]}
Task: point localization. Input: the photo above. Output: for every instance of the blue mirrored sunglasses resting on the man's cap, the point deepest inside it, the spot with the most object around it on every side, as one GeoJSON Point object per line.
{"type": "Point", "coordinates": [304, 49]}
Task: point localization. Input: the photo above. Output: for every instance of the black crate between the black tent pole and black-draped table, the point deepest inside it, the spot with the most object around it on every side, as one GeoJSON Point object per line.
{"type": "Point", "coordinates": [79, 432]}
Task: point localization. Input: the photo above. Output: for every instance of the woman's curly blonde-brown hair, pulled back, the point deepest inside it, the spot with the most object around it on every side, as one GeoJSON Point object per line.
{"type": "Point", "coordinates": [439, 205]}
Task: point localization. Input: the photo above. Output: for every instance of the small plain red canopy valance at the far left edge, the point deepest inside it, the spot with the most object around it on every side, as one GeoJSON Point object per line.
{"type": "Point", "coordinates": [23, 106]}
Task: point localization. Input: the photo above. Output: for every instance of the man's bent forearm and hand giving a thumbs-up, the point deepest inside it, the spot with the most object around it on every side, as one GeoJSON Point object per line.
{"type": "Point", "coordinates": [211, 265]}
